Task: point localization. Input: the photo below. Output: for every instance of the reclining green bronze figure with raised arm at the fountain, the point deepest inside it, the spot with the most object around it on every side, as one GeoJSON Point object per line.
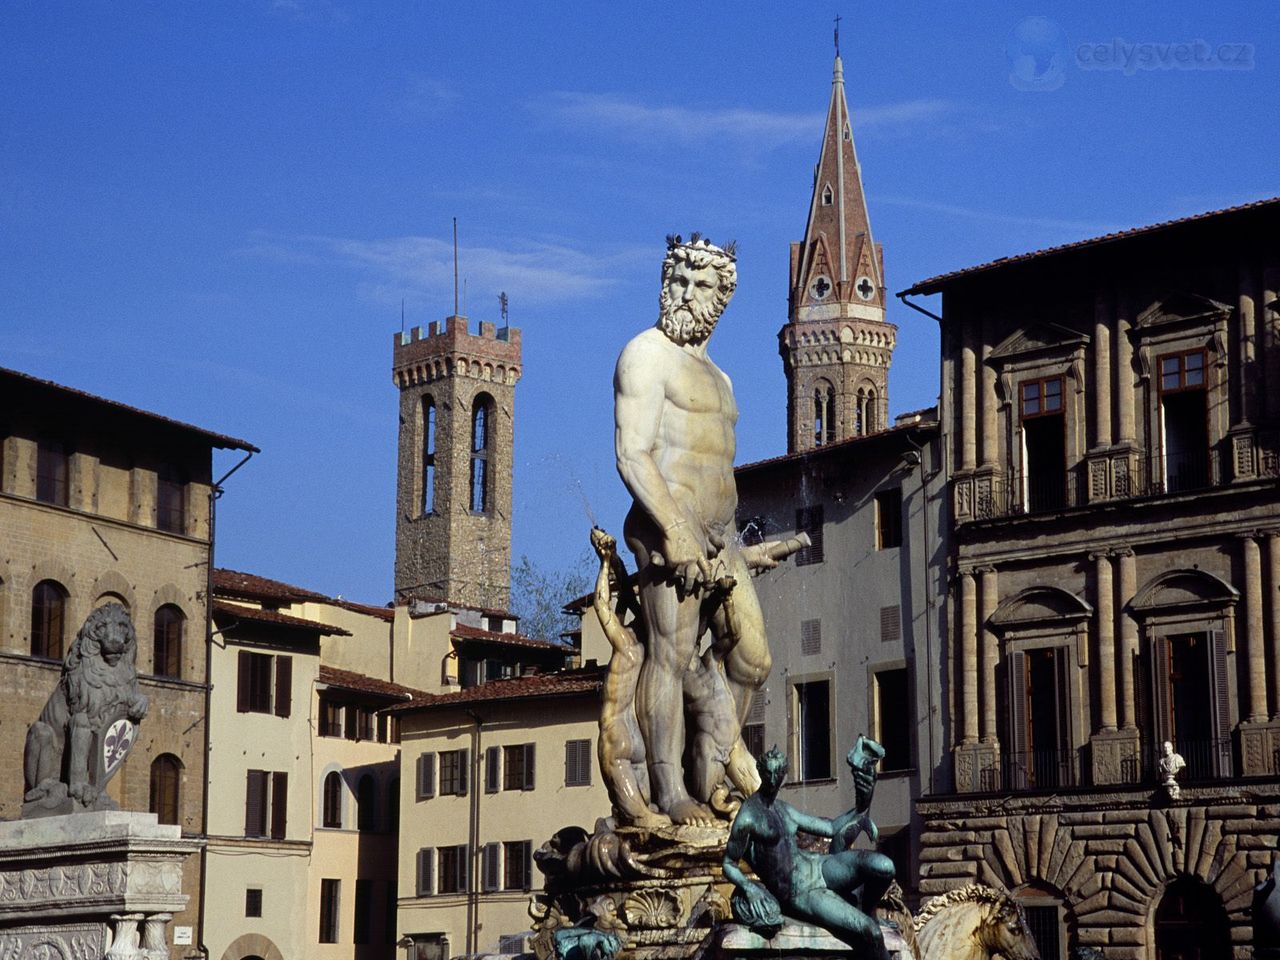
{"type": "Point", "coordinates": [838, 892]}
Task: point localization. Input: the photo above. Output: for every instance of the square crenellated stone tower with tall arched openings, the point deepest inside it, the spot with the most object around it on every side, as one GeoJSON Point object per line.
{"type": "Point", "coordinates": [454, 477]}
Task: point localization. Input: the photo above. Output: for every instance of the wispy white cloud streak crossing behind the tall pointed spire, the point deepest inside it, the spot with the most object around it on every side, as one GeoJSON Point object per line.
{"type": "Point", "coordinates": [632, 120]}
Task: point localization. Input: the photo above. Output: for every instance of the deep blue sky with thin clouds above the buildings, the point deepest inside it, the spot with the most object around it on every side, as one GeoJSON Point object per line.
{"type": "Point", "coordinates": [214, 211]}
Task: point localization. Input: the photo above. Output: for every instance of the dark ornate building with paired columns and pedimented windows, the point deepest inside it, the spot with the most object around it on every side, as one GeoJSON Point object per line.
{"type": "Point", "coordinates": [1110, 415]}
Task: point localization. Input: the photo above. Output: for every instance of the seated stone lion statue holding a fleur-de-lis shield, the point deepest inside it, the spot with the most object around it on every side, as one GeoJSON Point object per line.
{"type": "Point", "coordinates": [99, 687]}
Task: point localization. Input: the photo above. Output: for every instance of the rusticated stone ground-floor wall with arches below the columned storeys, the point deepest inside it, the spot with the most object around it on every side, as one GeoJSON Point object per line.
{"type": "Point", "coordinates": [1109, 856]}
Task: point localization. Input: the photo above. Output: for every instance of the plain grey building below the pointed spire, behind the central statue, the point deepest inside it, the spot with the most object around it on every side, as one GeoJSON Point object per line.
{"type": "Point", "coordinates": [853, 621]}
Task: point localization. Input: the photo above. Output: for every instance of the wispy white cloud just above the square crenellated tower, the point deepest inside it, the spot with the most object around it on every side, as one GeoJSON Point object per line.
{"type": "Point", "coordinates": [534, 272]}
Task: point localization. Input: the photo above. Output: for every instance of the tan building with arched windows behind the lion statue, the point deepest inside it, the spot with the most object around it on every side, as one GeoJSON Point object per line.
{"type": "Point", "coordinates": [103, 502]}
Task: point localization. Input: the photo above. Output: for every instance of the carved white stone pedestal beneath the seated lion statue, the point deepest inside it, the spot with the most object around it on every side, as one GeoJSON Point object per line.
{"type": "Point", "coordinates": [90, 886]}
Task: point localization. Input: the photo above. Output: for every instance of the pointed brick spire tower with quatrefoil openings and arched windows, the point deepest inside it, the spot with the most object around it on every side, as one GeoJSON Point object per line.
{"type": "Point", "coordinates": [836, 346]}
